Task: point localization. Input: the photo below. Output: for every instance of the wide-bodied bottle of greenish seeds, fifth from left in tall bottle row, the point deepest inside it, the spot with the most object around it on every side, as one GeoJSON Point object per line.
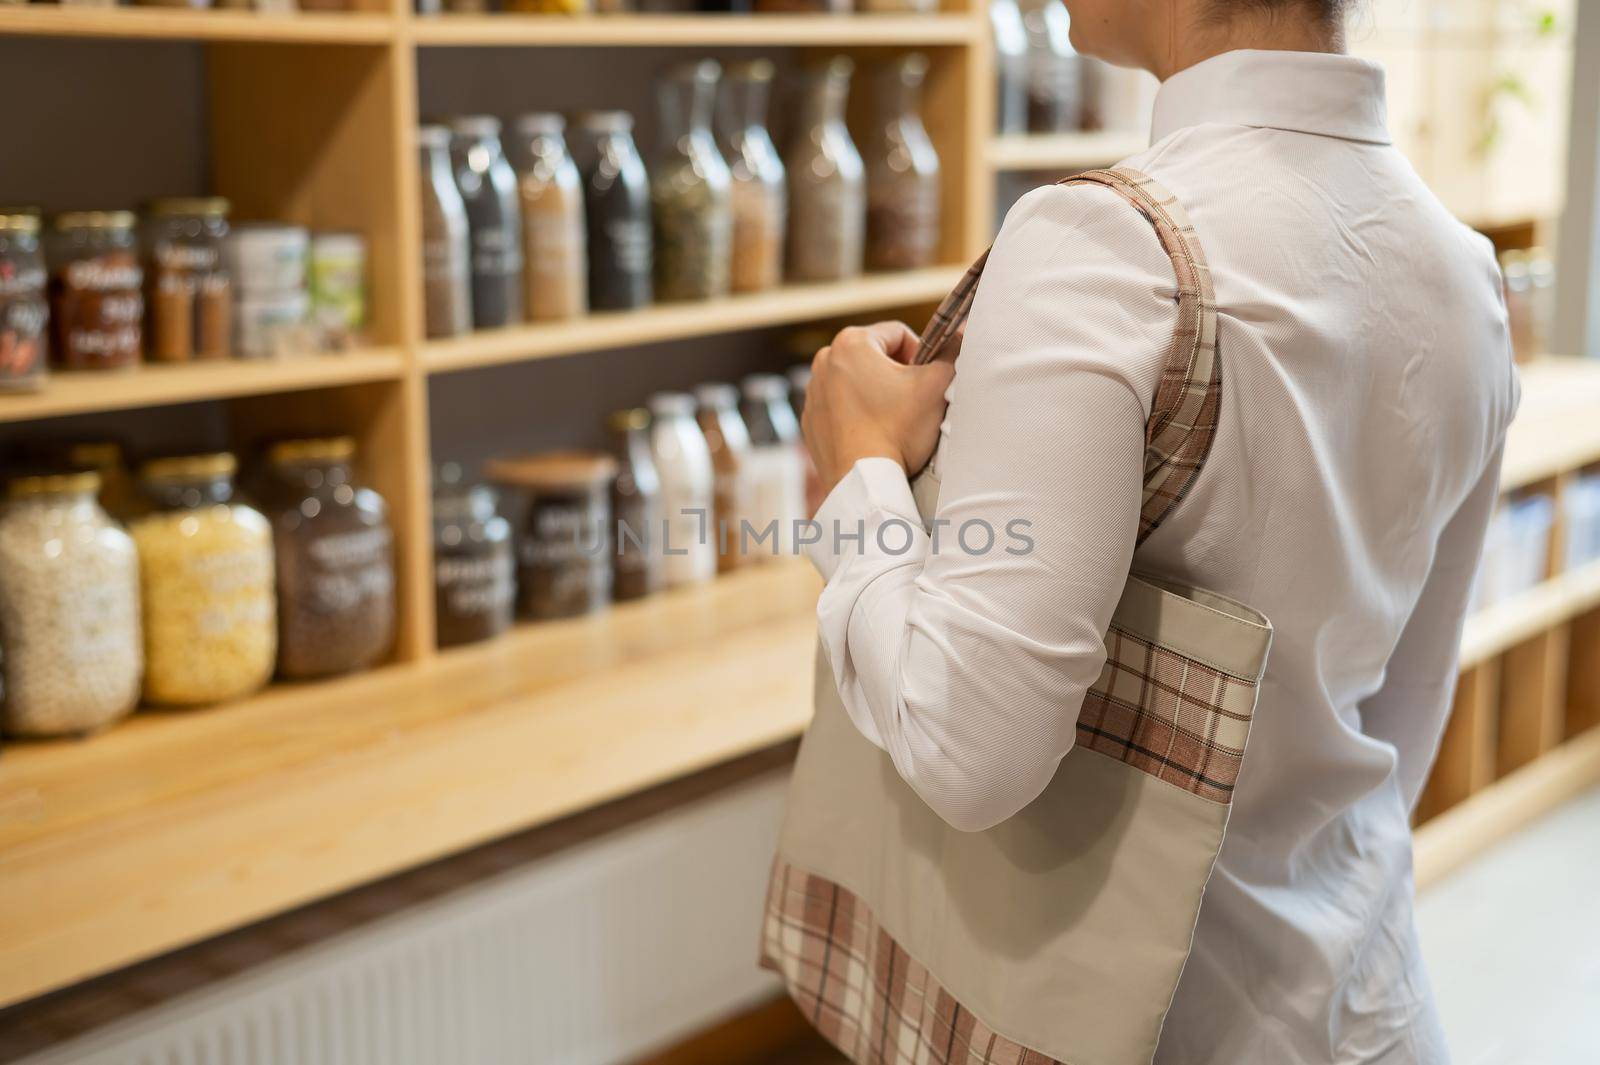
{"type": "Point", "coordinates": [690, 189]}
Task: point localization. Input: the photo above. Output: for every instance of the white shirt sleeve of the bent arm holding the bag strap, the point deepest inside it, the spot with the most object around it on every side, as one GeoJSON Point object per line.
{"type": "Point", "coordinates": [966, 652]}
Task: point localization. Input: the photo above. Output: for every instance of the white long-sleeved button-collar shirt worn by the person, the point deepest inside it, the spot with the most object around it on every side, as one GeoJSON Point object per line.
{"type": "Point", "coordinates": [1367, 386]}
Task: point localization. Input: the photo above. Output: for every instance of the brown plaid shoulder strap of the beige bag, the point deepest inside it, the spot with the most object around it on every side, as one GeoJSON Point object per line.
{"type": "Point", "coordinates": [1188, 401]}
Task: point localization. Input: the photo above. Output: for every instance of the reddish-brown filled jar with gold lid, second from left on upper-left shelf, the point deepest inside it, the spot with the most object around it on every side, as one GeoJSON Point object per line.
{"type": "Point", "coordinates": [97, 306]}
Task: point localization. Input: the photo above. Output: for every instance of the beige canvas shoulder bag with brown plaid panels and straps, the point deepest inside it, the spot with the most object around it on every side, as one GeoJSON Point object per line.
{"type": "Point", "coordinates": [1060, 935]}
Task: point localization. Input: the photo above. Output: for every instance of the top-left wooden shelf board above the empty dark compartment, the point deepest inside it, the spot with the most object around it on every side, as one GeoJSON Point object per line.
{"type": "Point", "coordinates": [44, 20]}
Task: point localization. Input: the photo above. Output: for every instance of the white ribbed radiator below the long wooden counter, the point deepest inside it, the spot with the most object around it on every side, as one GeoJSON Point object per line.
{"type": "Point", "coordinates": [594, 955]}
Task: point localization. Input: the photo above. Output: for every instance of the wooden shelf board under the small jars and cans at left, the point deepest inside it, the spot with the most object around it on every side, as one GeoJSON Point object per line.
{"type": "Point", "coordinates": [188, 383]}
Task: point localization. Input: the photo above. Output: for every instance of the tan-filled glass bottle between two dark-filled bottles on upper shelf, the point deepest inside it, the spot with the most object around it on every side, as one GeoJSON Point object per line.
{"type": "Point", "coordinates": [554, 250]}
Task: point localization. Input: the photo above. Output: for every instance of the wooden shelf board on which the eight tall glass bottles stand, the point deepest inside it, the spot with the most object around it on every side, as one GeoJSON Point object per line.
{"type": "Point", "coordinates": [673, 322]}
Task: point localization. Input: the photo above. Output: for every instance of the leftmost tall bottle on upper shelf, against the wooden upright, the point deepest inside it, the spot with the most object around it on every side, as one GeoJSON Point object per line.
{"type": "Point", "coordinates": [447, 257]}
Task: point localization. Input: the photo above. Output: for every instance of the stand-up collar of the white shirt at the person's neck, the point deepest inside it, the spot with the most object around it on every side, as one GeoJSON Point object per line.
{"type": "Point", "coordinates": [1303, 92]}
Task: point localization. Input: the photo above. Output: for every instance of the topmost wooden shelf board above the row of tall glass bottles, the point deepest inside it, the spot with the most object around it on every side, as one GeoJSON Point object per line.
{"type": "Point", "coordinates": [695, 31]}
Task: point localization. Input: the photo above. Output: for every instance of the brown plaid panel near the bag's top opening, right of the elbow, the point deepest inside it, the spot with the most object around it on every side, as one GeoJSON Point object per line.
{"type": "Point", "coordinates": [1169, 716]}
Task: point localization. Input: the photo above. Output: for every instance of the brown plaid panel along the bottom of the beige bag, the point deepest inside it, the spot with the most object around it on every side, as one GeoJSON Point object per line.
{"type": "Point", "coordinates": [862, 991]}
